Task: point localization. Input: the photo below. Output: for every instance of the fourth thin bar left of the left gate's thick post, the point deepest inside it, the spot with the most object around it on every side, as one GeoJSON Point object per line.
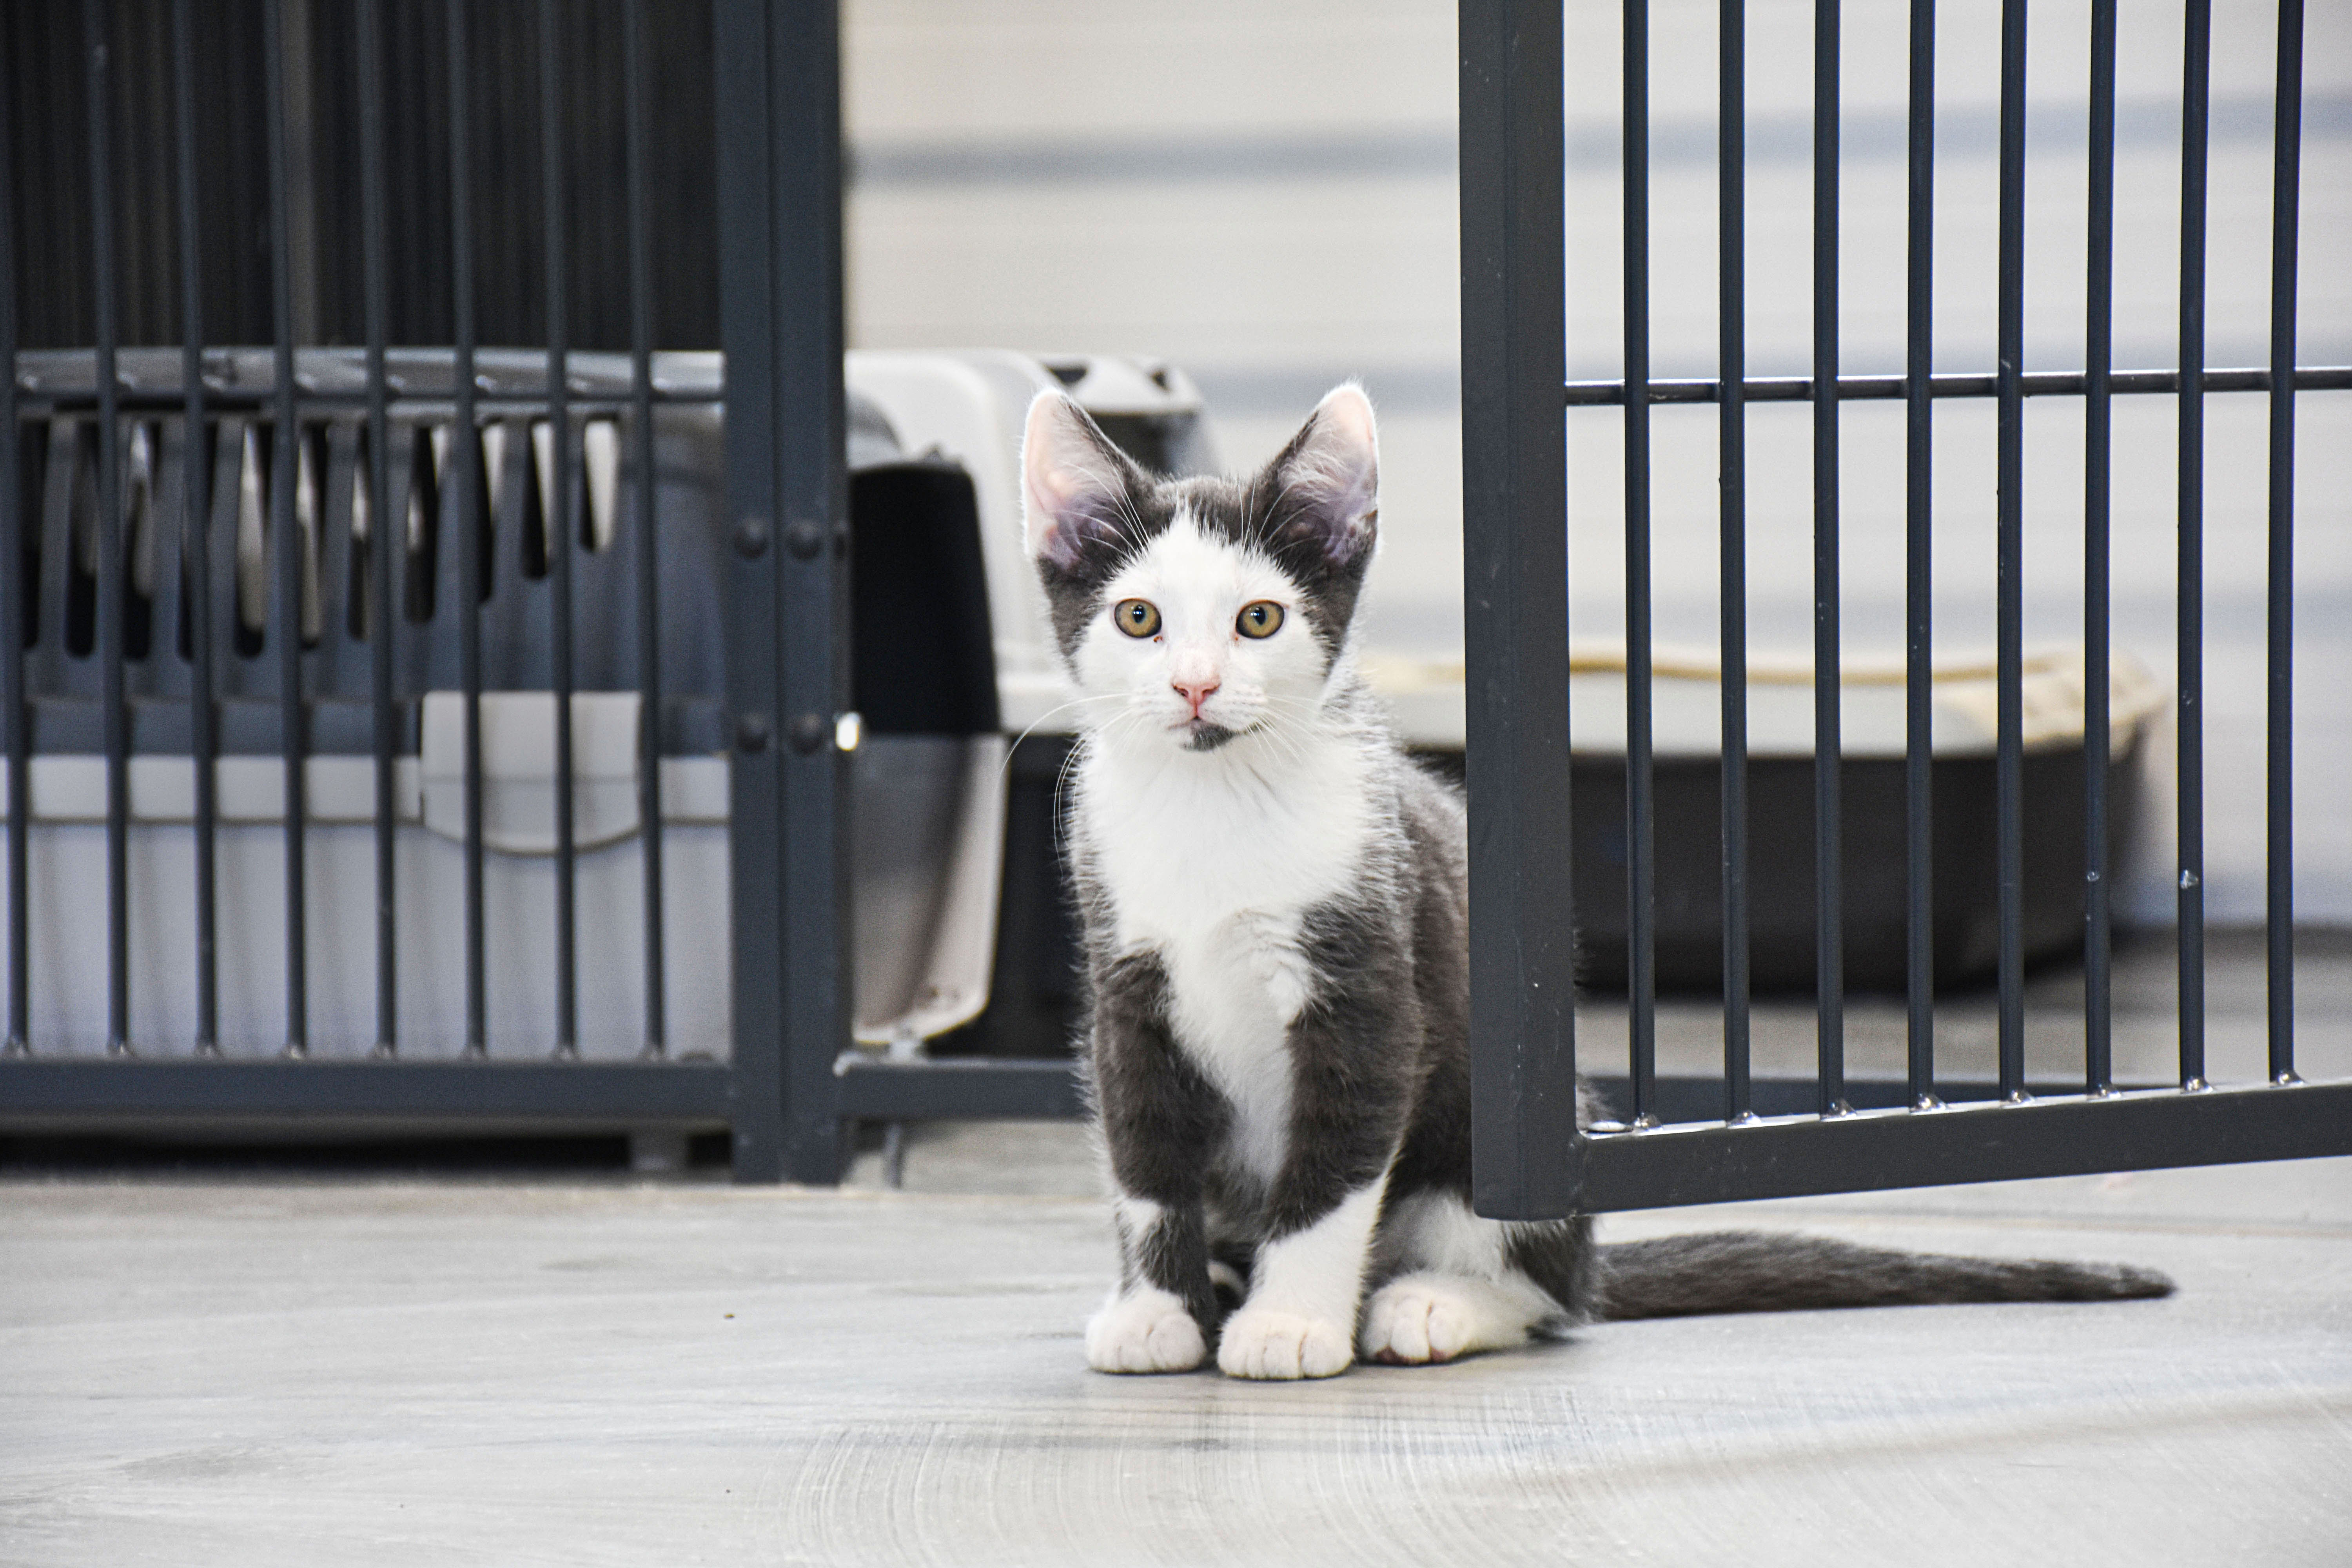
{"type": "Point", "coordinates": [382, 532]}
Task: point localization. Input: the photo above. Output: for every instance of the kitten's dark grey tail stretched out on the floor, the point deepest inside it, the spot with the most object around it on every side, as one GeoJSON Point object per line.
{"type": "Point", "coordinates": [1737, 1271]}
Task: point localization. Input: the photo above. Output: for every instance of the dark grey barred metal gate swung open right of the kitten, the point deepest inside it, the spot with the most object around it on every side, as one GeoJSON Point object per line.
{"type": "Point", "coordinates": [1695, 1141]}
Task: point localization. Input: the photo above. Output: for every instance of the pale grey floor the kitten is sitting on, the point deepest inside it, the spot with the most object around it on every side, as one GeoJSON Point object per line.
{"type": "Point", "coordinates": [601, 1372]}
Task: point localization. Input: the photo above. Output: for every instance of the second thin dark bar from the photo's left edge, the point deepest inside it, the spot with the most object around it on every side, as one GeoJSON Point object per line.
{"type": "Point", "coordinates": [116, 718]}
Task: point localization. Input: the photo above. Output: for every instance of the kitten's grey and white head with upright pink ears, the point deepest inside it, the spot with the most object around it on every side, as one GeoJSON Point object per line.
{"type": "Point", "coordinates": [1194, 612]}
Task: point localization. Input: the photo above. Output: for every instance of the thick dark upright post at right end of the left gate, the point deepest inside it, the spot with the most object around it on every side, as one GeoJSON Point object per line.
{"type": "Point", "coordinates": [787, 669]}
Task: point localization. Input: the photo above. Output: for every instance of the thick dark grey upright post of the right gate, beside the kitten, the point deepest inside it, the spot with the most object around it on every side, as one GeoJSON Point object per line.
{"type": "Point", "coordinates": [1516, 584]}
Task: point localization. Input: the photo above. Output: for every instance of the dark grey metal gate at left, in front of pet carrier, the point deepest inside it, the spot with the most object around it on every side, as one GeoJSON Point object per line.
{"type": "Point", "coordinates": [201, 568]}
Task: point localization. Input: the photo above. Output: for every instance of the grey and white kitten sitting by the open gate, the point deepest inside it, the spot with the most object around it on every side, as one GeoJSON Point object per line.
{"type": "Point", "coordinates": [1278, 958]}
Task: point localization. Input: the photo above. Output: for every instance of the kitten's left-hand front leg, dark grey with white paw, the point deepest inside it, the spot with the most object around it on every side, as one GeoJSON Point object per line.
{"type": "Point", "coordinates": [1161, 1120]}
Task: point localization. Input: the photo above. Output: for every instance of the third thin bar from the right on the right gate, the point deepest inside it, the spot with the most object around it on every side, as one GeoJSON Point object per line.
{"type": "Point", "coordinates": [2097, 565]}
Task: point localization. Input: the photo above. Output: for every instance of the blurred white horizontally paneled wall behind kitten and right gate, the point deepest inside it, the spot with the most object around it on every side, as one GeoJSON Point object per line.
{"type": "Point", "coordinates": [1264, 192]}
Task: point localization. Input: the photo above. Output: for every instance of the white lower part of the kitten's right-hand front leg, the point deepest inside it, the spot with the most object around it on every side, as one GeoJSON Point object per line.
{"type": "Point", "coordinates": [1299, 1320]}
